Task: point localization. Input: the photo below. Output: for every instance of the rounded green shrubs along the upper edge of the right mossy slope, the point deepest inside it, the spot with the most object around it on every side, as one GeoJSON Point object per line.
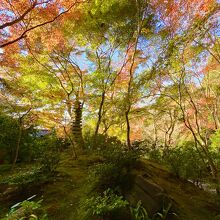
{"type": "Point", "coordinates": [183, 161]}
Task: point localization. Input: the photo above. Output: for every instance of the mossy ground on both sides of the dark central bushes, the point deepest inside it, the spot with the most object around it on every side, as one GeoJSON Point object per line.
{"type": "Point", "coordinates": [62, 194]}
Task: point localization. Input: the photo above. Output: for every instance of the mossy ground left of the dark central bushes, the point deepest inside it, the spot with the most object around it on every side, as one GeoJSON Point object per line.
{"type": "Point", "coordinates": [61, 194]}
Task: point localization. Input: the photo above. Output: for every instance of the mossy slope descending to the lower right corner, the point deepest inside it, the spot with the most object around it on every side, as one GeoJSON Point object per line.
{"type": "Point", "coordinates": [192, 202]}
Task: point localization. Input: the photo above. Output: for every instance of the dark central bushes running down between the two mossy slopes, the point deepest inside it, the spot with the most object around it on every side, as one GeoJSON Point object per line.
{"type": "Point", "coordinates": [112, 172]}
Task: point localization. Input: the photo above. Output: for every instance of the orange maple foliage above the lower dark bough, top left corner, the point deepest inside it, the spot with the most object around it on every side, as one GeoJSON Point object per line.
{"type": "Point", "coordinates": [18, 18]}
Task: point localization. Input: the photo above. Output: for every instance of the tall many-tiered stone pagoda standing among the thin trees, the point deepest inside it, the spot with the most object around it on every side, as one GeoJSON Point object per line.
{"type": "Point", "coordinates": [77, 125]}
